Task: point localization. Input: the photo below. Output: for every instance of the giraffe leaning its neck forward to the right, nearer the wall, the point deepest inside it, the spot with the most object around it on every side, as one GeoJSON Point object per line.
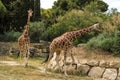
{"type": "Point", "coordinates": [65, 43]}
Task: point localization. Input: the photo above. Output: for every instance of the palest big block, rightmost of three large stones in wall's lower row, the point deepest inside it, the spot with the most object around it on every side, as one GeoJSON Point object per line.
{"type": "Point", "coordinates": [110, 74]}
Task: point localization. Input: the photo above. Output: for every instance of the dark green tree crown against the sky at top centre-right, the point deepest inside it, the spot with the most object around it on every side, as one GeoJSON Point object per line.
{"type": "Point", "coordinates": [62, 6]}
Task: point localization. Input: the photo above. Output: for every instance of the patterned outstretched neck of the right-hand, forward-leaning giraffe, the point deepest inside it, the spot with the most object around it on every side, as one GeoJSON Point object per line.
{"type": "Point", "coordinates": [74, 34]}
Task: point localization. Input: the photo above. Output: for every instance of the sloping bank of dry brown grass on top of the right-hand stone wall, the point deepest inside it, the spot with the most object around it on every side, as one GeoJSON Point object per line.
{"type": "Point", "coordinates": [82, 53]}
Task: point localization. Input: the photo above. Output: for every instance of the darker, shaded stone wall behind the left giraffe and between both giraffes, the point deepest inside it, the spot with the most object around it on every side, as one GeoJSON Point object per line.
{"type": "Point", "coordinates": [40, 49]}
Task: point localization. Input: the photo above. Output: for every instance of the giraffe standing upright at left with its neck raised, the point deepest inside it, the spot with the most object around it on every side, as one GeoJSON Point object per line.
{"type": "Point", "coordinates": [24, 40]}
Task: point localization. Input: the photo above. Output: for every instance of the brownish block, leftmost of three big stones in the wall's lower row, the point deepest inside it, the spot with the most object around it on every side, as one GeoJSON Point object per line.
{"type": "Point", "coordinates": [83, 68]}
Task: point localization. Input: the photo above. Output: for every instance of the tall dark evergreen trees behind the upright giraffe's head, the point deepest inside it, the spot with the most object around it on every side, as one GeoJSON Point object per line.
{"type": "Point", "coordinates": [16, 16]}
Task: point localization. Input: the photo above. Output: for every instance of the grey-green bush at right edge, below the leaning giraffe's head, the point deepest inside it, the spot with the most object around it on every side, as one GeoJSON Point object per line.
{"type": "Point", "coordinates": [106, 41]}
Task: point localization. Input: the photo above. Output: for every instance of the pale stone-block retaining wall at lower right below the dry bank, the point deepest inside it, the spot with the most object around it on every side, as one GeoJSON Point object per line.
{"type": "Point", "coordinates": [93, 68]}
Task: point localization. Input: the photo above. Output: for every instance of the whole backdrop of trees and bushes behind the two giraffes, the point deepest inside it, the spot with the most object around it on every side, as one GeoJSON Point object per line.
{"type": "Point", "coordinates": [65, 15]}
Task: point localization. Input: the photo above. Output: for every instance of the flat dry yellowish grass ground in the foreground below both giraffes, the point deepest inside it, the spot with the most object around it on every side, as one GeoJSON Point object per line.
{"type": "Point", "coordinates": [32, 72]}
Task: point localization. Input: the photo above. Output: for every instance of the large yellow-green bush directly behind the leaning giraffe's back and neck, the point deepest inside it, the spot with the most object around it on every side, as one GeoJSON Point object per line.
{"type": "Point", "coordinates": [73, 20]}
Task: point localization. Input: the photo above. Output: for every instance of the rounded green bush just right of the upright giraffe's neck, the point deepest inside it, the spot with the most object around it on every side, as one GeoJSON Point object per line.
{"type": "Point", "coordinates": [36, 30]}
